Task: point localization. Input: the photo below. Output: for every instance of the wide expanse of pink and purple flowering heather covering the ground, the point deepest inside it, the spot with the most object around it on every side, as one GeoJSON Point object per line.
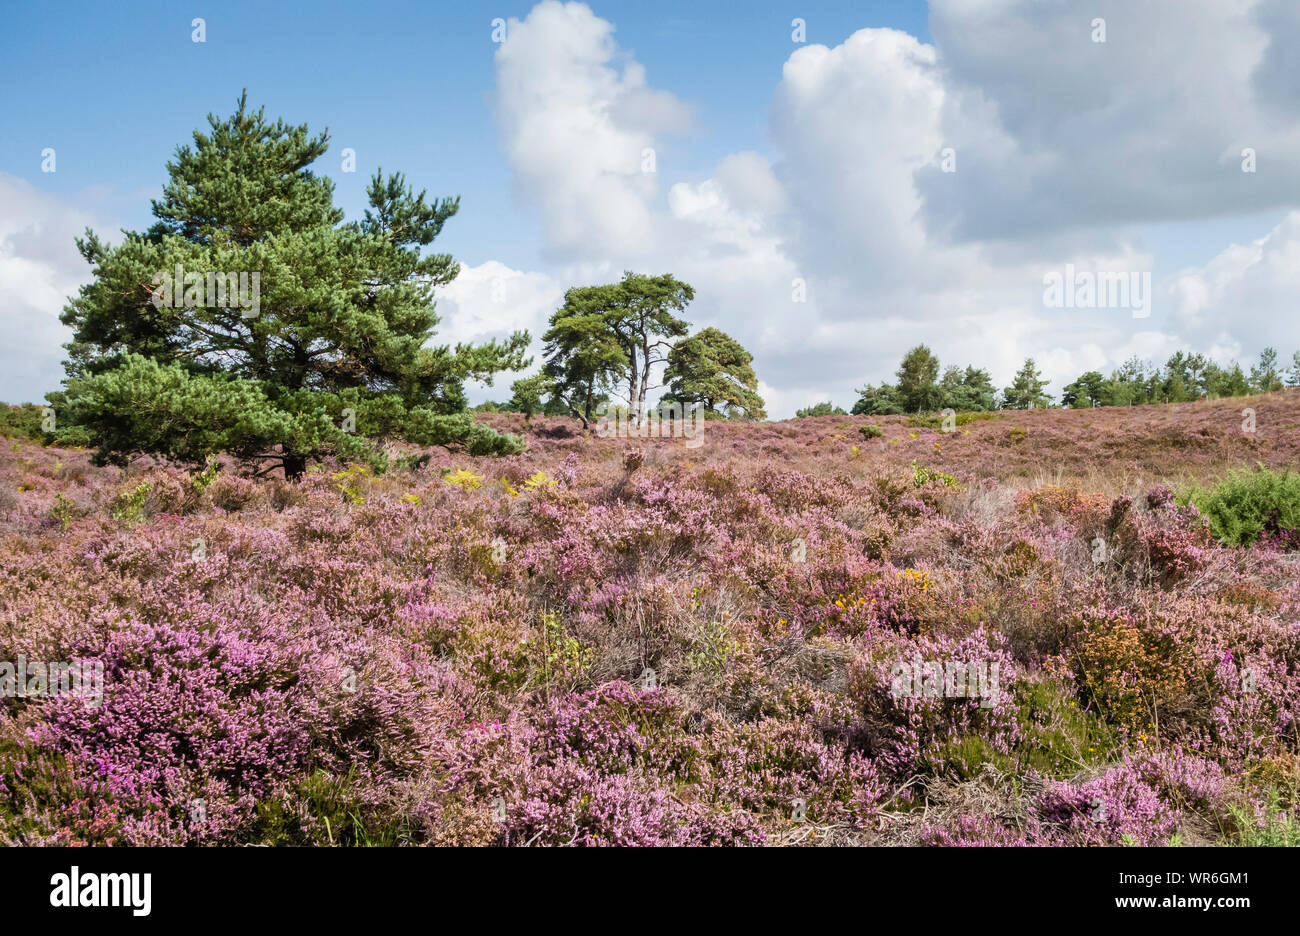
{"type": "Point", "coordinates": [636, 643]}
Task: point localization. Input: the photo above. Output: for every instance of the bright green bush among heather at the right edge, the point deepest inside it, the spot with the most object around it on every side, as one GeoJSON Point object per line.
{"type": "Point", "coordinates": [1249, 505]}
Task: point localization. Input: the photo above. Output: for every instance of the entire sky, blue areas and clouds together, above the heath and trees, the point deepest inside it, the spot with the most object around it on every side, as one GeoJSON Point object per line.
{"type": "Point", "coordinates": [777, 163]}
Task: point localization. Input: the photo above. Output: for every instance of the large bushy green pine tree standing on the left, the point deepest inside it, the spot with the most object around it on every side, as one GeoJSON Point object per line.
{"type": "Point", "coordinates": [326, 356]}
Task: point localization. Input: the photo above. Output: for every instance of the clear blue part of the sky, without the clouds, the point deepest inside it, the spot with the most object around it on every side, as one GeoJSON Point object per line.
{"type": "Point", "coordinates": [408, 85]}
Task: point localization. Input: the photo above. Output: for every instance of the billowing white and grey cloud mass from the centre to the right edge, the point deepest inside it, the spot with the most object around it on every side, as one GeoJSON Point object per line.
{"type": "Point", "coordinates": [1061, 146]}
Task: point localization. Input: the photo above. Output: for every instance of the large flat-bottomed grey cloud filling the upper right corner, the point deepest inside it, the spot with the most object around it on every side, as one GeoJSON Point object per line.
{"type": "Point", "coordinates": [1058, 132]}
